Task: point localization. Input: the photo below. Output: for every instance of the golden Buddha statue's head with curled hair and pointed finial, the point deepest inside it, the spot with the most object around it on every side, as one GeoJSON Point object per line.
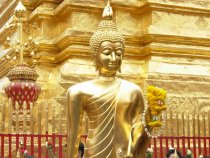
{"type": "Point", "coordinates": [107, 45]}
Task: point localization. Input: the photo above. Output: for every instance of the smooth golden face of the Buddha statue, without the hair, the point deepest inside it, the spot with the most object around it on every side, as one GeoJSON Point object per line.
{"type": "Point", "coordinates": [109, 57]}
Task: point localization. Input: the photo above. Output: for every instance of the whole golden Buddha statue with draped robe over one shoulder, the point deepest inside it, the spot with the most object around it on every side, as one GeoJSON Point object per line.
{"type": "Point", "coordinates": [113, 106]}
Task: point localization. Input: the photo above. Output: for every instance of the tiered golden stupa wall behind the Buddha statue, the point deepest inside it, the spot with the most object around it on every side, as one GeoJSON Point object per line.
{"type": "Point", "coordinates": [167, 45]}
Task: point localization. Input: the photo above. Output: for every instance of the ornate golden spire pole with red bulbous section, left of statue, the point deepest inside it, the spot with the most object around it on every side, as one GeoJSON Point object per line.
{"type": "Point", "coordinates": [22, 77]}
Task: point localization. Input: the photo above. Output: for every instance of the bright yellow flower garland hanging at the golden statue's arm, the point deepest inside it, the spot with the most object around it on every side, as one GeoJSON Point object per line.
{"type": "Point", "coordinates": [156, 101]}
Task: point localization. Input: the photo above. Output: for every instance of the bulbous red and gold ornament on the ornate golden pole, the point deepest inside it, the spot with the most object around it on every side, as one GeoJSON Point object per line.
{"type": "Point", "coordinates": [22, 87]}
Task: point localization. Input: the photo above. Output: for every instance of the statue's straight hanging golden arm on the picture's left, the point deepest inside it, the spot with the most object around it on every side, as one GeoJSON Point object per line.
{"type": "Point", "coordinates": [75, 114]}
